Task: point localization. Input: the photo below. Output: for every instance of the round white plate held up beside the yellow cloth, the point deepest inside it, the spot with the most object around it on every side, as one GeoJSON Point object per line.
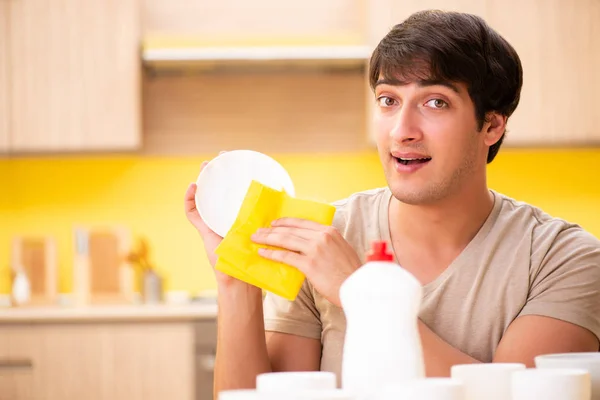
{"type": "Point", "coordinates": [224, 182]}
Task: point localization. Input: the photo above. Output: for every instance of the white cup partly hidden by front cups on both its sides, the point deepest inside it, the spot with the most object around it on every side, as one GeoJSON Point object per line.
{"type": "Point", "coordinates": [489, 381]}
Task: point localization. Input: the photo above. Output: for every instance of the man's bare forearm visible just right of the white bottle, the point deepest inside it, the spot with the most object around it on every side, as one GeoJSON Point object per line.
{"type": "Point", "coordinates": [440, 356]}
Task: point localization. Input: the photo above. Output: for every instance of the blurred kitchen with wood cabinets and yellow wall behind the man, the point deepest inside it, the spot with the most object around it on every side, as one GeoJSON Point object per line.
{"type": "Point", "coordinates": [108, 108]}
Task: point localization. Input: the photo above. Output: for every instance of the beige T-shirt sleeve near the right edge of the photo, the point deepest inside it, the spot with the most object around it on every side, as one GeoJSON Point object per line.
{"type": "Point", "coordinates": [566, 285]}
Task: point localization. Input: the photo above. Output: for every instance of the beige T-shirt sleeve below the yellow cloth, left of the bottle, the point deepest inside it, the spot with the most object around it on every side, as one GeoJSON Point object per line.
{"type": "Point", "coordinates": [298, 317]}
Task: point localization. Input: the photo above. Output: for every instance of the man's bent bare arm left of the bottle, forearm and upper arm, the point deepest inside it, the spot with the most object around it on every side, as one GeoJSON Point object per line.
{"type": "Point", "coordinates": [243, 349]}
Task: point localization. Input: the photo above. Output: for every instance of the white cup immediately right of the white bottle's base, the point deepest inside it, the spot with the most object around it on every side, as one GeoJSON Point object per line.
{"type": "Point", "coordinates": [425, 389]}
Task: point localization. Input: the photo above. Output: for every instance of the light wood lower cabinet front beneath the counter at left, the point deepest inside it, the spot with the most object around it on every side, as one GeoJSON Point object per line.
{"type": "Point", "coordinates": [120, 361]}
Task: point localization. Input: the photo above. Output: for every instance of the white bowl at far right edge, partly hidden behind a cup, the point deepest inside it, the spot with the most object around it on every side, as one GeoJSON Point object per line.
{"type": "Point", "coordinates": [588, 361]}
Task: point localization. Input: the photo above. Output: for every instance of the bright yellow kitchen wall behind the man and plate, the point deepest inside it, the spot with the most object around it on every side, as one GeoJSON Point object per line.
{"type": "Point", "coordinates": [51, 195]}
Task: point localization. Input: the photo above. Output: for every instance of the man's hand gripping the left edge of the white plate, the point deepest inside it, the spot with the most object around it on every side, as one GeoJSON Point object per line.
{"type": "Point", "coordinates": [211, 239]}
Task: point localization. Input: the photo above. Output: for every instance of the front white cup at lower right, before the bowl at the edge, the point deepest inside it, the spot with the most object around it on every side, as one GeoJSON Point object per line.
{"type": "Point", "coordinates": [551, 384]}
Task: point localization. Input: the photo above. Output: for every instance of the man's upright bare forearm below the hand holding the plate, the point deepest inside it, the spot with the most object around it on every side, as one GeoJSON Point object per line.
{"type": "Point", "coordinates": [241, 346]}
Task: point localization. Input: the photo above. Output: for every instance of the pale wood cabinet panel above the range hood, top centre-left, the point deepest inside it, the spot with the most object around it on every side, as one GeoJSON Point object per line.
{"type": "Point", "coordinates": [258, 22]}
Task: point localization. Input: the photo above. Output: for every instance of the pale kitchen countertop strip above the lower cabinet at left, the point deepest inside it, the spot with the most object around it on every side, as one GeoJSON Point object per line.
{"type": "Point", "coordinates": [113, 313]}
